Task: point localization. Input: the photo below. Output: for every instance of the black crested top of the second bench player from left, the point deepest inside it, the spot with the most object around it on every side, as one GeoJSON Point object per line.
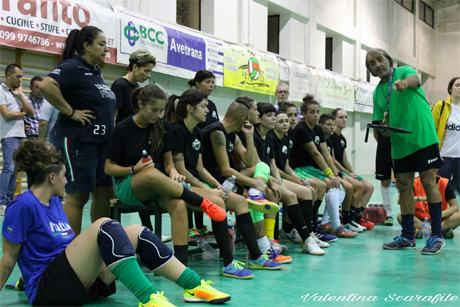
{"type": "Point", "coordinates": [188, 144]}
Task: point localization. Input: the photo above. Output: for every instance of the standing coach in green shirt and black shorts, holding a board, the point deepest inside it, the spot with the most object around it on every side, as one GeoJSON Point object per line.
{"type": "Point", "coordinates": [399, 101]}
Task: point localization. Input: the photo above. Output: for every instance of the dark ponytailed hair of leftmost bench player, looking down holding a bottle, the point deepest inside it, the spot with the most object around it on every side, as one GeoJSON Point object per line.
{"type": "Point", "coordinates": [148, 95]}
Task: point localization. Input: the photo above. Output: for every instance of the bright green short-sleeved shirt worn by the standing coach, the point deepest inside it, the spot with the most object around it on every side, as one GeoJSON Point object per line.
{"type": "Point", "coordinates": [408, 110]}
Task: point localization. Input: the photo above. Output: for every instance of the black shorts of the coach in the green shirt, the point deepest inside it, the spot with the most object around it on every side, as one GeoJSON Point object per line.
{"type": "Point", "coordinates": [422, 160]}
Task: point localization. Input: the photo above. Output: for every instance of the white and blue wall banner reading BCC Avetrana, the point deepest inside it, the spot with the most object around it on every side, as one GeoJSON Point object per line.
{"type": "Point", "coordinates": [179, 52]}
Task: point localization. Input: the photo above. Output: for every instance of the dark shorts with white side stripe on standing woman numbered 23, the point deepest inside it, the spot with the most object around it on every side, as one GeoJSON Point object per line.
{"type": "Point", "coordinates": [85, 164]}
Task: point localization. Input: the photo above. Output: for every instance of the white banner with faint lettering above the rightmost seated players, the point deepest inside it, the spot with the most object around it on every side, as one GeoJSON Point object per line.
{"type": "Point", "coordinates": [335, 91]}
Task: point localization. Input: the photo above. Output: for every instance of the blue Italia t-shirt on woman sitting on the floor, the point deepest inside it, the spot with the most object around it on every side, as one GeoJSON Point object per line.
{"type": "Point", "coordinates": [43, 231]}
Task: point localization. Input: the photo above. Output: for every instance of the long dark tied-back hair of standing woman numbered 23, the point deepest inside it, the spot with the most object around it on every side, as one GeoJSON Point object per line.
{"type": "Point", "coordinates": [76, 39]}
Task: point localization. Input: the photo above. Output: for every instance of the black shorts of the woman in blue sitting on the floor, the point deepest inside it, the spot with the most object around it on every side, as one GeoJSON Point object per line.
{"type": "Point", "coordinates": [60, 286]}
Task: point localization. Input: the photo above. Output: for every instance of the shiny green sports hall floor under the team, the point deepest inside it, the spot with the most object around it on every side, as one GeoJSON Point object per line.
{"type": "Point", "coordinates": [354, 272]}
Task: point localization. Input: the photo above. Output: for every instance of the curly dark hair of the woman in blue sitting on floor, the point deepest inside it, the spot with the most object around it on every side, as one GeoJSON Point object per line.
{"type": "Point", "coordinates": [37, 159]}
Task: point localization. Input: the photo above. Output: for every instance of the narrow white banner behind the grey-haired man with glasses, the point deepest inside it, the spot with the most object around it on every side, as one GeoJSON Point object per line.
{"type": "Point", "coordinates": [302, 81]}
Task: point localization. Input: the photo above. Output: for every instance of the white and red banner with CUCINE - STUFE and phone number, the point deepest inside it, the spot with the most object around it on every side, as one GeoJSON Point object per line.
{"type": "Point", "coordinates": [45, 25]}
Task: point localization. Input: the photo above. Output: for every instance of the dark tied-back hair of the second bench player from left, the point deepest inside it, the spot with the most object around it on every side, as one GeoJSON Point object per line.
{"type": "Point", "coordinates": [174, 113]}
